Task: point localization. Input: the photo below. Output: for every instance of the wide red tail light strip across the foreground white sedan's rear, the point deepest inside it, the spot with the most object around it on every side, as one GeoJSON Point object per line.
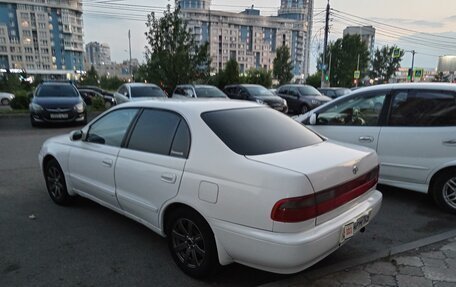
{"type": "Point", "coordinates": [296, 209]}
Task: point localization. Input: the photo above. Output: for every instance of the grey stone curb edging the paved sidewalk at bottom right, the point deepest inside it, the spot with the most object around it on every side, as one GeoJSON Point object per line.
{"type": "Point", "coordinates": [314, 274]}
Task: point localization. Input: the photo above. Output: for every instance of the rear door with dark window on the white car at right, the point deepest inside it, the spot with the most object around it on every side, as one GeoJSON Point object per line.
{"type": "Point", "coordinates": [420, 135]}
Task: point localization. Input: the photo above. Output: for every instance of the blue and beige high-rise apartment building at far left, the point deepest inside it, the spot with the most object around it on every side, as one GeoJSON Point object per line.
{"type": "Point", "coordinates": [42, 37]}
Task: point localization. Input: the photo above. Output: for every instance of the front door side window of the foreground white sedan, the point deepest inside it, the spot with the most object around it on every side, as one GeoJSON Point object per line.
{"type": "Point", "coordinates": [111, 128]}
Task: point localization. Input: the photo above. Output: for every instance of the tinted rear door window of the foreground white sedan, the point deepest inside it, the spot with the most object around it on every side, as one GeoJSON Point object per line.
{"type": "Point", "coordinates": [154, 132]}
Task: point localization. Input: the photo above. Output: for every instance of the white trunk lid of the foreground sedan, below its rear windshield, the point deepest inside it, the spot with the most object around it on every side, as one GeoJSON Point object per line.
{"type": "Point", "coordinates": [326, 164]}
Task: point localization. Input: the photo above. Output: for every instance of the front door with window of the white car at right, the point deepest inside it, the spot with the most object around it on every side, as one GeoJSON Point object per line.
{"type": "Point", "coordinates": [353, 120]}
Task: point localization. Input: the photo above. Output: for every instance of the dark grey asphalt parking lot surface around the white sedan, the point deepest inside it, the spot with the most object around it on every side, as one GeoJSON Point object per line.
{"type": "Point", "coordinates": [42, 244]}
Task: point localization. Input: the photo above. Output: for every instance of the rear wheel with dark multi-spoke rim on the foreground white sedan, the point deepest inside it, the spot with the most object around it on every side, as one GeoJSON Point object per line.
{"type": "Point", "coordinates": [192, 244]}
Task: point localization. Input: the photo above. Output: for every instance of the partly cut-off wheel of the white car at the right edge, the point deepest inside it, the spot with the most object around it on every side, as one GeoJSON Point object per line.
{"type": "Point", "coordinates": [444, 190]}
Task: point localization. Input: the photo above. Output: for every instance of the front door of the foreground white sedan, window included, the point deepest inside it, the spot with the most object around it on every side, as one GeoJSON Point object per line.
{"type": "Point", "coordinates": [92, 160]}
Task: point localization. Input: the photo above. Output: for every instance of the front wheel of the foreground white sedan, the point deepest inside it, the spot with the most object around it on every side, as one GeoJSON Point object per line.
{"type": "Point", "coordinates": [56, 184]}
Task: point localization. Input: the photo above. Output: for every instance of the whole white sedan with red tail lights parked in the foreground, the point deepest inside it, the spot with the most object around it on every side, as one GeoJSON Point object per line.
{"type": "Point", "coordinates": [224, 181]}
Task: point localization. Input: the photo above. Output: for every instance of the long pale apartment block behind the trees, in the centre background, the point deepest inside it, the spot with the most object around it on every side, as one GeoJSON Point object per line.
{"type": "Point", "coordinates": [252, 39]}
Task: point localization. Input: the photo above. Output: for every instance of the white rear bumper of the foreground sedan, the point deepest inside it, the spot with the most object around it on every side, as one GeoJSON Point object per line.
{"type": "Point", "coordinates": [287, 252]}
